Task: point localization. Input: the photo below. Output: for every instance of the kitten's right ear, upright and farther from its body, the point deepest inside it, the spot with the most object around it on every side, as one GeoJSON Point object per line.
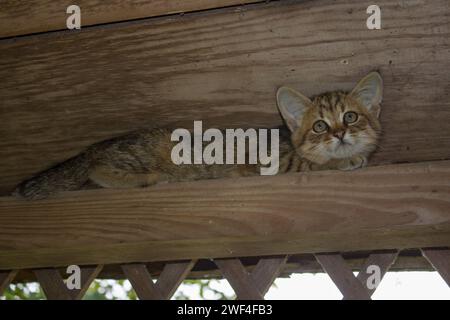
{"type": "Point", "coordinates": [369, 92]}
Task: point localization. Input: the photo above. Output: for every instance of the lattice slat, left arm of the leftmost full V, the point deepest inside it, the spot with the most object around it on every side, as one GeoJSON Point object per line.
{"type": "Point", "coordinates": [52, 284]}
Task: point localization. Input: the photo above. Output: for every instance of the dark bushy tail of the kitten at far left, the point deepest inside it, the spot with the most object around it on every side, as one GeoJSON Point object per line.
{"type": "Point", "coordinates": [68, 175]}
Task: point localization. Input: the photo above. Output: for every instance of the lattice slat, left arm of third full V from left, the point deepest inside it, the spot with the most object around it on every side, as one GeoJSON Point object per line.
{"type": "Point", "coordinates": [239, 279]}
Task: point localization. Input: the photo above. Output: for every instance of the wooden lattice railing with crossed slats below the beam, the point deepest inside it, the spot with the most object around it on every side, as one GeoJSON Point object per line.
{"type": "Point", "coordinates": [248, 285]}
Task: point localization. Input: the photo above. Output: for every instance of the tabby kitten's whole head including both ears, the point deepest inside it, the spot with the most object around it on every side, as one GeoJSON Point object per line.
{"type": "Point", "coordinates": [334, 125]}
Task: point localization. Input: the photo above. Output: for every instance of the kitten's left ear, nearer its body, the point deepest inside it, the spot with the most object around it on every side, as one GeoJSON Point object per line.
{"type": "Point", "coordinates": [292, 106]}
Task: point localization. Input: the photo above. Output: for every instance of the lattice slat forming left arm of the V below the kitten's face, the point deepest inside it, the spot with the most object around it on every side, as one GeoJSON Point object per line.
{"type": "Point", "coordinates": [351, 288]}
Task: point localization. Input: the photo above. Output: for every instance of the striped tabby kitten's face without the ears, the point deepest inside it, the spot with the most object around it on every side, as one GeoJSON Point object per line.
{"type": "Point", "coordinates": [336, 126]}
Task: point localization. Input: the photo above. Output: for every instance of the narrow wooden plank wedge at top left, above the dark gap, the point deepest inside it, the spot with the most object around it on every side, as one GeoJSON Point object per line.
{"type": "Point", "coordinates": [32, 16]}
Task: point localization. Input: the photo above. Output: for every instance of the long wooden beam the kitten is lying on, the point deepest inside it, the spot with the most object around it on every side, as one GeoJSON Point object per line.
{"type": "Point", "coordinates": [385, 207]}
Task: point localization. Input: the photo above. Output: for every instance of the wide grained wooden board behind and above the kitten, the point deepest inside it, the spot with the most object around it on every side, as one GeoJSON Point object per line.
{"type": "Point", "coordinates": [222, 68]}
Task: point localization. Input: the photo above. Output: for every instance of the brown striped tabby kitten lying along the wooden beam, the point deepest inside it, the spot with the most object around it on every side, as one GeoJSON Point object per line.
{"type": "Point", "coordinates": [334, 130]}
